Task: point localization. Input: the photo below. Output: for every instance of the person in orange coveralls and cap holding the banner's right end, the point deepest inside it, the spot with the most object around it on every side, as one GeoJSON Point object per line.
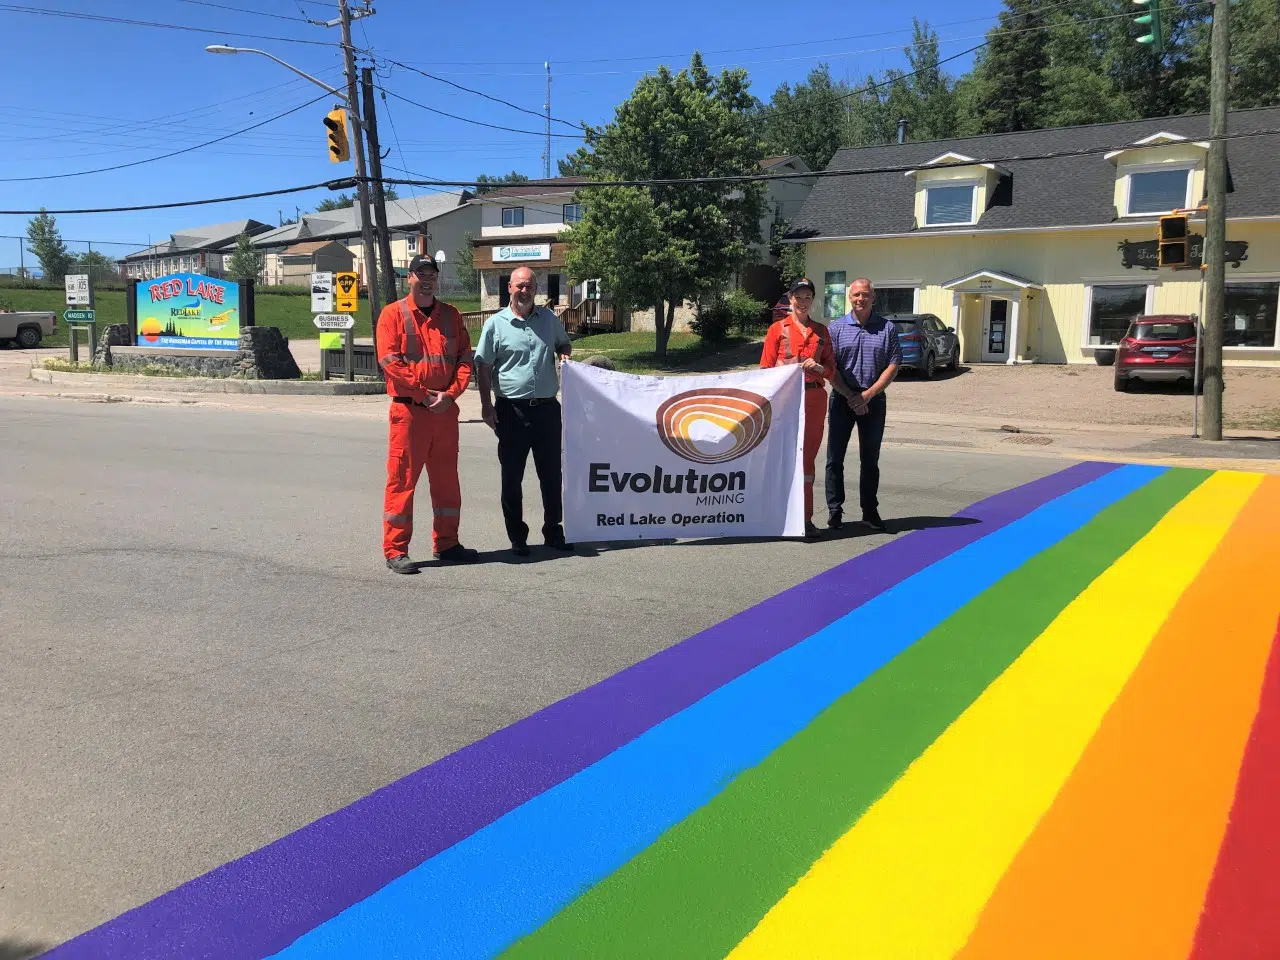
{"type": "Point", "coordinates": [798, 340]}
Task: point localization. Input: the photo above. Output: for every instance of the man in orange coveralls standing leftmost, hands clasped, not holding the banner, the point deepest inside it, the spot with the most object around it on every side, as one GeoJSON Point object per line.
{"type": "Point", "coordinates": [426, 354]}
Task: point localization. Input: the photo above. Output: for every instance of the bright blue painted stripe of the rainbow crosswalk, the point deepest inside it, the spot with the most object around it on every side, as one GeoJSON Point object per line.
{"type": "Point", "coordinates": [510, 877]}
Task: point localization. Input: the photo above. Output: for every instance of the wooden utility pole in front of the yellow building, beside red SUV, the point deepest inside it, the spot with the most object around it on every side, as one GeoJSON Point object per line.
{"type": "Point", "coordinates": [1215, 223]}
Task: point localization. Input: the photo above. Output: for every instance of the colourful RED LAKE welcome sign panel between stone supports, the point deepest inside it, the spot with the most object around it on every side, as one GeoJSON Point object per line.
{"type": "Point", "coordinates": [190, 312]}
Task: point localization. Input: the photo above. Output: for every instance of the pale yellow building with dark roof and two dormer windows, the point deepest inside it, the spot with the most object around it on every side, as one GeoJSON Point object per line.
{"type": "Point", "coordinates": [1040, 246]}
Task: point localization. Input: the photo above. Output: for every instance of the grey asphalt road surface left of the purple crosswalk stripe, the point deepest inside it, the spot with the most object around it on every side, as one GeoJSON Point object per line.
{"type": "Point", "coordinates": [203, 650]}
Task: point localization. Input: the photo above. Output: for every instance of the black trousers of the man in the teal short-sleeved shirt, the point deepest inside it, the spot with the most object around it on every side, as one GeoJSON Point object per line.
{"type": "Point", "coordinates": [522, 428]}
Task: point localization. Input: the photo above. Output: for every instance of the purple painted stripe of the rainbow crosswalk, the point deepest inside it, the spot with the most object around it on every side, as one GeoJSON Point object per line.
{"type": "Point", "coordinates": [262, 903]}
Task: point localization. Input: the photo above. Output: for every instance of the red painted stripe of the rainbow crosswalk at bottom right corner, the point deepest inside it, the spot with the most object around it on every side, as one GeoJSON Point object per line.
{"type": "Point", "coordinates": [1242, 912]}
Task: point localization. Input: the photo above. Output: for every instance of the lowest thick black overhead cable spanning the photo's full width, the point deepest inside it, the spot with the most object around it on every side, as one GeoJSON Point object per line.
{"type": "Point", "coordinates": [346, 184]}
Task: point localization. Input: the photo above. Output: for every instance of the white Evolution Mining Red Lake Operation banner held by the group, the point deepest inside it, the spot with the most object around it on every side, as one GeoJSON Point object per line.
{"type": "Point", "coordinates": [661, 458]}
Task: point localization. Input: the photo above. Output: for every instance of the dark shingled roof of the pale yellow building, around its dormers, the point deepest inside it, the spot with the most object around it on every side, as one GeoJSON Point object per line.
{"type": "Point", "coordinates": [1032, 194]}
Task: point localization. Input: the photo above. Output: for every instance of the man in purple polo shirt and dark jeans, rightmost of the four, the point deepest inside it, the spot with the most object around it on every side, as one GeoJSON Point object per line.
{"type": "Point", "coordinates": [867, 360]}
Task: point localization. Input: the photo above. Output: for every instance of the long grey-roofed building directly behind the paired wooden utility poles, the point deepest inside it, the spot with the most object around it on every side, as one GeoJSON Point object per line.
{"type": "Point", "coordinates": [428, 223]}
